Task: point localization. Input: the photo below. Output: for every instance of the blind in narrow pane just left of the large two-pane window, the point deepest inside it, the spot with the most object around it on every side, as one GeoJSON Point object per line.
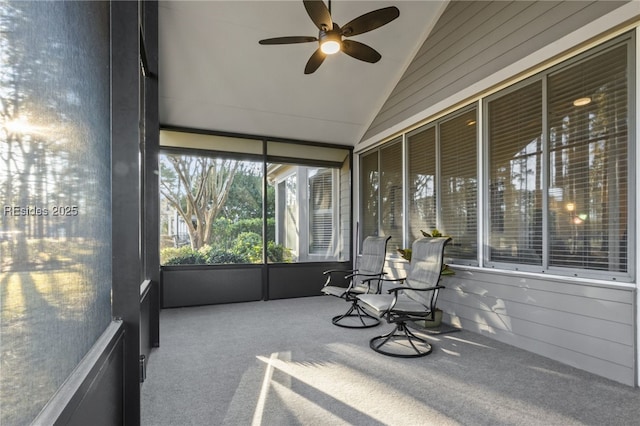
{"type": "Point", "coordinates": [459, 184]}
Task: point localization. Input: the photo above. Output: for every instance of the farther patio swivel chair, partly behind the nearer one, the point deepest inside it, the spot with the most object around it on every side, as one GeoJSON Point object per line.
{"type": "Point", "coordinates": [363, 280]}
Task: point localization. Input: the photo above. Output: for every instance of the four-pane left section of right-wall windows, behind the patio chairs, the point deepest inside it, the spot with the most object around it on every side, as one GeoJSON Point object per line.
{"type": "Point", "coordinates": [442, 186]}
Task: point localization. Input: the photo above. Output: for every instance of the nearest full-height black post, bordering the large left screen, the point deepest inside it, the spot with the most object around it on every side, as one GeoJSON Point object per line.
{"type": "Point", "coordinates": [126, 199]}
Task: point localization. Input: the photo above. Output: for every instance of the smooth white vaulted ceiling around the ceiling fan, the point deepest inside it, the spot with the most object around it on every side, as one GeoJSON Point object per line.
{"type": "Point", "coordinates": [214, 75]}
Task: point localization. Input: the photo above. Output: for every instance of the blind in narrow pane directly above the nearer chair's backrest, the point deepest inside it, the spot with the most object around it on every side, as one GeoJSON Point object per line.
{"type": "Point", "coordinates": [422, 182]}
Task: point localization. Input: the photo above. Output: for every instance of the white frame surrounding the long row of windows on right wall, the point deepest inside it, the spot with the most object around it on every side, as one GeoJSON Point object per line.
{"type": "Point", "coordinates": [480, 103]}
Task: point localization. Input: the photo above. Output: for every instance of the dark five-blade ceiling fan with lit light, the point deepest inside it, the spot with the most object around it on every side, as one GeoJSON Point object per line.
{"type": "Point", "coordinates": [330, 37]}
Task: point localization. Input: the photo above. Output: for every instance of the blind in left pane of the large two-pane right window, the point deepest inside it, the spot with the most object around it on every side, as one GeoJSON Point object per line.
{"type": "Point", "coordinates": [515, 176]}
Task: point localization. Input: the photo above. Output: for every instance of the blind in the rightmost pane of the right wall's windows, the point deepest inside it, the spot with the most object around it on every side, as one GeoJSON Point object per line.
{"type": "Point", "coordinates": [588, 163]}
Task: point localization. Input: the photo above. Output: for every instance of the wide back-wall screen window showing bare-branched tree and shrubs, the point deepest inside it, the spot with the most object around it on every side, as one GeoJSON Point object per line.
{"type": "Point", "coordinates": [210, 209]}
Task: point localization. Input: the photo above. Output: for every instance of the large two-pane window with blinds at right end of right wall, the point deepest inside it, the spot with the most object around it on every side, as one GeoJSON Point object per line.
{"type": "Point", "coordinates": [562, 203]}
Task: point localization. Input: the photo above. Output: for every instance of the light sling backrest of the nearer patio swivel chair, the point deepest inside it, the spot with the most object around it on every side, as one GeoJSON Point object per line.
{"type": "Point", "coordinates": [427, 259]}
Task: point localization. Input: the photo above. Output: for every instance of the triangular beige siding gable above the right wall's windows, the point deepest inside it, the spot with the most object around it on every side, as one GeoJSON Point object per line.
{"type": "Point", "coordinates": [474, 39]}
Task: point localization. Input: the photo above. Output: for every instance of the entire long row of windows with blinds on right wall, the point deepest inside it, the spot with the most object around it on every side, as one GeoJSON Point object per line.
{"type": "Point", "coordinates": [555, 173]}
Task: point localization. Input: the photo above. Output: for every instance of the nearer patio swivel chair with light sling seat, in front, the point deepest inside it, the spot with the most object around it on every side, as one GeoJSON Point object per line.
{"type": "Point", "coordinates": [413, 300]}
